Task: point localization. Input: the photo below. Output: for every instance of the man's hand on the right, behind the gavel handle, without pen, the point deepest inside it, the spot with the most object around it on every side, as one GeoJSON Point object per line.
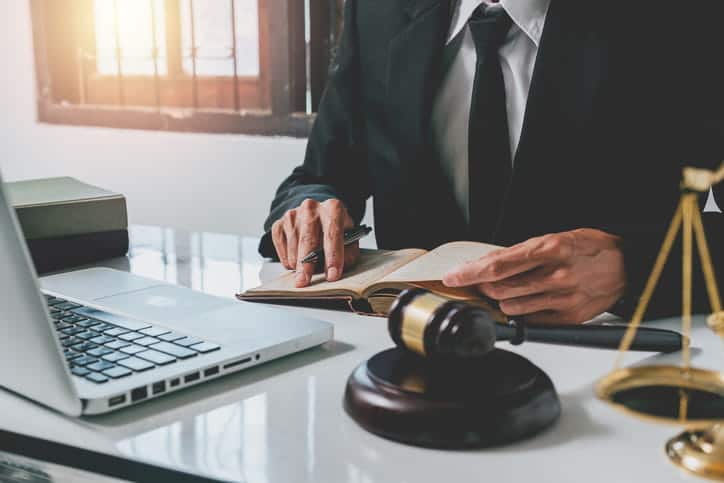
{"type": "Point", "coordinates": [567, 277]}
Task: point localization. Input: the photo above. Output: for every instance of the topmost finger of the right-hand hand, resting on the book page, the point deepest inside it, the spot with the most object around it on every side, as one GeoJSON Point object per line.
{"type": "Point", "coordinates": [511, 261]}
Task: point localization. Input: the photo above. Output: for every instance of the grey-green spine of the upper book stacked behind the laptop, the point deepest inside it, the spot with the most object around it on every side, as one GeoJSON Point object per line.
{"type": "Point", "coordinates": [73, 218]}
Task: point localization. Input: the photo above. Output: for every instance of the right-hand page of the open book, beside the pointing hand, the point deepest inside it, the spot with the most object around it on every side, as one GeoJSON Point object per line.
{"type": "Point", "coordinates": [435, 264]}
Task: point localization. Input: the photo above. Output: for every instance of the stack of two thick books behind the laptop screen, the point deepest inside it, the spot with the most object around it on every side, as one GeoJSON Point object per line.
{"type": "Point", "coordinates": [68, 223]}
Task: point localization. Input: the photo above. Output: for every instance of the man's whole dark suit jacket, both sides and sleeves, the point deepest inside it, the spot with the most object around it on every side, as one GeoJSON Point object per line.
{"type": "Point", "coordinates": [623, 95]}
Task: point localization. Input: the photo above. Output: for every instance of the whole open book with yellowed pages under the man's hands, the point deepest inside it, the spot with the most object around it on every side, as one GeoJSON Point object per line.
{"type": "Point", "coordinates": [379, 276]}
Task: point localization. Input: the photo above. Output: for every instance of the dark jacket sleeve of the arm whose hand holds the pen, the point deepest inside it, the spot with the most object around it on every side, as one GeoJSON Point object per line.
{"type": "Point", "coordinates": [335, 160]}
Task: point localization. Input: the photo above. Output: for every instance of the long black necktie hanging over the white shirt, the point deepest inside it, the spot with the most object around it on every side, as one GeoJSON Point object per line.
{"type": "Point", "coordinates": [490, 161]}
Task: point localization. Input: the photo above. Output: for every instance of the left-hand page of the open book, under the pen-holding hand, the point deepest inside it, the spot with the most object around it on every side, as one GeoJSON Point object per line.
{"type": "Point", "coordinates": [372, 266]}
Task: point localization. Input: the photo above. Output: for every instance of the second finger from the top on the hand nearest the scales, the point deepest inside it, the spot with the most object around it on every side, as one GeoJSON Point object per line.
{"type": "Point", "coordinates": [538, 280]}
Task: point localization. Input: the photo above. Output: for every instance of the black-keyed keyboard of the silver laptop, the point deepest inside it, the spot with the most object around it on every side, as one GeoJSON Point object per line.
{"type": "Point", "coordinates": [101, 350]}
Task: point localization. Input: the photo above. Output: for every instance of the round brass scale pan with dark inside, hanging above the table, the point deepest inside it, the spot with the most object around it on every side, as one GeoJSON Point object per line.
{"type": "Point", "coordinates": [671, 394]}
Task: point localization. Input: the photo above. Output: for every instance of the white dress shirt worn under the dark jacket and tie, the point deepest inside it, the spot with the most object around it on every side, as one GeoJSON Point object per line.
{"type": "Point", "coordinates": [451, 108]}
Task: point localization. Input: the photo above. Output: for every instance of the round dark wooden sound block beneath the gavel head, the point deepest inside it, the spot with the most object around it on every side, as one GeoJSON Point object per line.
{"type": "Point", "coordinates": [494, 400]}
